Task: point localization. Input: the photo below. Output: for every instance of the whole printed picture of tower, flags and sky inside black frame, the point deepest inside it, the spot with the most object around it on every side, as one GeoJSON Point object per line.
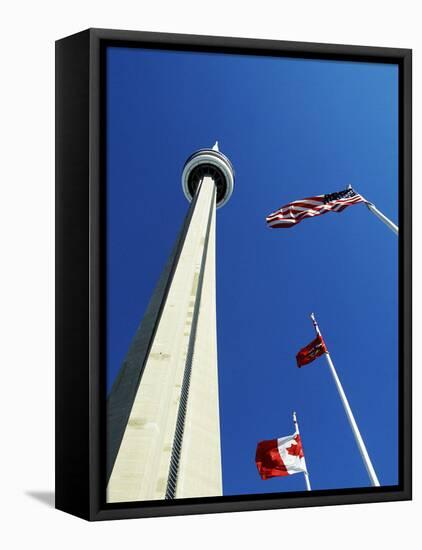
{"type": "Point", "coordinates": [252, 275]}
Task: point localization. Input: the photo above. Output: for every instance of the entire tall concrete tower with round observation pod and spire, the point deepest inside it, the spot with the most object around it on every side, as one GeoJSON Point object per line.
{"type": "Point", "coordinates": [163, 425]}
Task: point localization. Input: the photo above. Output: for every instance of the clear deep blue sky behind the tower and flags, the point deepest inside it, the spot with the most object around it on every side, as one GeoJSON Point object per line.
{"type": "Point", "coordinates": [292, 128]}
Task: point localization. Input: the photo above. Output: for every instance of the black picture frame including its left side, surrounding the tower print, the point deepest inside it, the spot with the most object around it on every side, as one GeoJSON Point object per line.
{"type": "Point", "coordinates": [80, 273]}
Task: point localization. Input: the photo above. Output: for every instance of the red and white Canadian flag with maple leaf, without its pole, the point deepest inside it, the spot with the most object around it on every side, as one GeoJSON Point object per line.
{"type": "Point", "coordinates": [280, 457]}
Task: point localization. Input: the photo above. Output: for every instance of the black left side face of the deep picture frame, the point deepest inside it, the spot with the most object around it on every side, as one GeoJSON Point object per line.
{"type": "Point", "coordinates": [72, 264]}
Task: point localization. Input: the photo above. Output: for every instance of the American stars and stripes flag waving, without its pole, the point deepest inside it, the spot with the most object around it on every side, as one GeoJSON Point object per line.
{"type": "Point", "coordinates": [294, 212]}
